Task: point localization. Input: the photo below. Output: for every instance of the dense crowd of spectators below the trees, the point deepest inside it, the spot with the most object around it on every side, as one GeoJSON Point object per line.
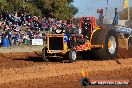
{"type": "Point", "coordinates": [22, 28]}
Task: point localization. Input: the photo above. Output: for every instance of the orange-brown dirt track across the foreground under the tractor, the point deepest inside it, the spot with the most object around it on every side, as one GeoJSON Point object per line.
{"type": "Point", "coordinates": [17, 70]}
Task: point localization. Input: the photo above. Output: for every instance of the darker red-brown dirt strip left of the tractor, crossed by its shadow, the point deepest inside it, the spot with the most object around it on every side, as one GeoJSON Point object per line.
{"type": "Point", "coordinates": [15, 60]}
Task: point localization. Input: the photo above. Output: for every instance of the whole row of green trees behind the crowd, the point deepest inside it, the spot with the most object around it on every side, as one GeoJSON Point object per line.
{"type": "Point", "coordinates": [61, 9]}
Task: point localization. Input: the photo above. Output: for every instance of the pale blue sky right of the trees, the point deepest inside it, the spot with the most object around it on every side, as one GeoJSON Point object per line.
{"type": "Point", "coordinates": [89, 7]}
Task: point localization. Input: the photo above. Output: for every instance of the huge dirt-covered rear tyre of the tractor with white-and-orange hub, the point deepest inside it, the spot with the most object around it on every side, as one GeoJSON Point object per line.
{"type": "Point", "coordinates": [109, 40]}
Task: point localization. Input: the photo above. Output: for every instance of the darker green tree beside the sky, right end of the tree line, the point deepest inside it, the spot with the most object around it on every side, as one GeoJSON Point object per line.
{"type": "Point", "coordinates": [61, 9]}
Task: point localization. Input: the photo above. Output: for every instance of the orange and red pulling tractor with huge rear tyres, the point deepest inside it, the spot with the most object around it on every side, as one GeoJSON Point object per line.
{"type": "Point", "coordinates": [97, 37]}
